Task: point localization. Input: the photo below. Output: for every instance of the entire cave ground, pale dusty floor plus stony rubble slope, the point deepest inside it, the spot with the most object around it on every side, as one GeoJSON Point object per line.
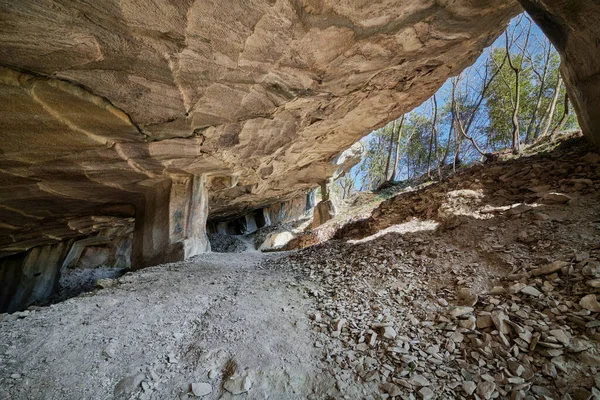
{"type": "Point", "coordinates": [480, 287]}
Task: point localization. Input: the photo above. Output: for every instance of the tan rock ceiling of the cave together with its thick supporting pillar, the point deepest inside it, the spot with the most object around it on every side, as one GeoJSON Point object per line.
{"type": "Point", "coordinates": [174, 112]}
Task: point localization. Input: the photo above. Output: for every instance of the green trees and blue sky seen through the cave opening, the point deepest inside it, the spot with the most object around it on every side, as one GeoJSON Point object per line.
{"type": "Point", "coordinates": [484, 107]}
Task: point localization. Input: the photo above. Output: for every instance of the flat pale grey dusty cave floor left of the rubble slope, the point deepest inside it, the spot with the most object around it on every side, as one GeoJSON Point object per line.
{"type": "Point", "coordinates": [174, 324]}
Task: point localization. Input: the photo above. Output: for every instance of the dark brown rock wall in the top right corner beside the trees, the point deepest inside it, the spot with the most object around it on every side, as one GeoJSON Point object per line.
{"type": "Point", "coordinates": [573, 27]}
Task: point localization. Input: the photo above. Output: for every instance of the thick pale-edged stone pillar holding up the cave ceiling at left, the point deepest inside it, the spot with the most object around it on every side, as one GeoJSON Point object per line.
{"type": "Point", "coordinates": [170, 225]}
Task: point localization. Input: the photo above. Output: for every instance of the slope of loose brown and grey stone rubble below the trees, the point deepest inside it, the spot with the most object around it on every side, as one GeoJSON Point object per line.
{"type": "Point", "coordinates": [483, 286]}
